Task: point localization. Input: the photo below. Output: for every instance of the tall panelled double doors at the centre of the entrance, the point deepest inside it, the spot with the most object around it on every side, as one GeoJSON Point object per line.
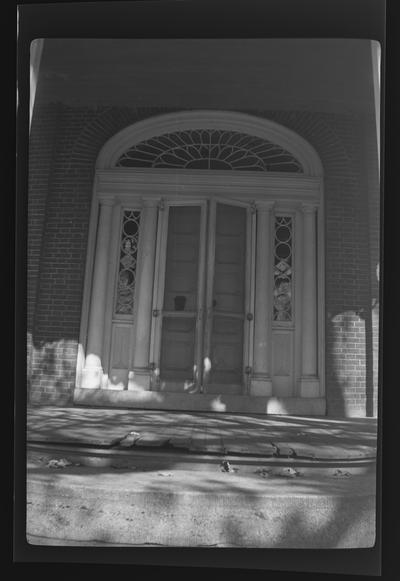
{"type": "Point", "coordinates": [203, 295]}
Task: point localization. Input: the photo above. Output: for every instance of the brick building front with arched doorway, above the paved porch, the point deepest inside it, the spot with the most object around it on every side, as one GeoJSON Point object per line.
{"type": "Point", "coordinates": [204, 226]}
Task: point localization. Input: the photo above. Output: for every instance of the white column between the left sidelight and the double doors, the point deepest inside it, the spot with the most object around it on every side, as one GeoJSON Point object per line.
{"type": "Point", "coordinates": [139, 378]}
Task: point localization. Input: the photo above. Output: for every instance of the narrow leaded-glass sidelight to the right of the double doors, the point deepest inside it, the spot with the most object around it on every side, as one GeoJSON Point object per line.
{"type": "Point", "coordinates": [283, 268]}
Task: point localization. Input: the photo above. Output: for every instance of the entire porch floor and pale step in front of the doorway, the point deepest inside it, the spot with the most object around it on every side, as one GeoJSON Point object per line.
{"type": "Point", "coordinates": [166, 483]}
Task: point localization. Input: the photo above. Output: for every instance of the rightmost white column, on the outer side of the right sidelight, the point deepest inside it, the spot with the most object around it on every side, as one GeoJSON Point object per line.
{"type": "Point", "coordinates": [309, 382]}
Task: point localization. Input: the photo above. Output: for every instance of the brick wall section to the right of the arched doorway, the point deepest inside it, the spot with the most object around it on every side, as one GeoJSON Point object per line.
{"type": "Point", "coordinates": [347, 148]}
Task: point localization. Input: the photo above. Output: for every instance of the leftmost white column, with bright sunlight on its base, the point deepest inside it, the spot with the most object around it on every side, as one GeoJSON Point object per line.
{"type": "Point", "coordinates": [93, 370]}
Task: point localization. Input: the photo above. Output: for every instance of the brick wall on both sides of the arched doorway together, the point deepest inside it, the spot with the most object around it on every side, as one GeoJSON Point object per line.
{"type": "Point", "coordinates": [64, 146]}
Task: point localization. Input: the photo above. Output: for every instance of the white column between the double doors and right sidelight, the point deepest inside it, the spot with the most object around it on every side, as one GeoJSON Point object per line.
{"type": "Point", "coordinates": [261, 384]}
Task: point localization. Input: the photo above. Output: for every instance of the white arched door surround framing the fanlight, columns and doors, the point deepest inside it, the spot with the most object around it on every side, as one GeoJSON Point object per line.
{"type": "Point", "coordinates": [124, 187]}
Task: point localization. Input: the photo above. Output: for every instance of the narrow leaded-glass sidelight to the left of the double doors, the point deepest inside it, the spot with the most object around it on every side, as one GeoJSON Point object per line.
{"type": "Point", "coordinates": [127, 262]}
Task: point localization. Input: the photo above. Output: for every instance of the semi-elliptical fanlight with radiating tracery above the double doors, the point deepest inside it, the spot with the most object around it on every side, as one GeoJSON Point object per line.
{"type": "Point", "coordinates": [210, 149]}
